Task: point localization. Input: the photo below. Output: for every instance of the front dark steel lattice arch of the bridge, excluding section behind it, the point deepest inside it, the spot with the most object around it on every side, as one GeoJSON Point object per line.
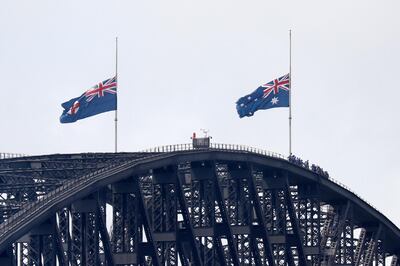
{"type": "Point", "coordinates": [281, 221]}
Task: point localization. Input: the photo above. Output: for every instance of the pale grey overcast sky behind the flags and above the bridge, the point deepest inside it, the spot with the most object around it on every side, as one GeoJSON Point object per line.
{"type": "Point", "coordinates": [183, 64]}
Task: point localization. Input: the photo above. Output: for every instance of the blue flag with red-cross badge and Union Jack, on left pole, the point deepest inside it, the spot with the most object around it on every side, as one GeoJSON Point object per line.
{"type": "Point", "coordinates": [99, 99]}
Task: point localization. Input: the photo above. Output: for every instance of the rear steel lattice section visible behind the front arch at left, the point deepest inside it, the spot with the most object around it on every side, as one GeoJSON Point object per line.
{"type": "Point", "coordinates": [24, 180]}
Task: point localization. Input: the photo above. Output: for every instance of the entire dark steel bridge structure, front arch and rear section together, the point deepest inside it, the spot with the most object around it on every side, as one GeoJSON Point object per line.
{"type": "Point", "coordinates": [223, 205]}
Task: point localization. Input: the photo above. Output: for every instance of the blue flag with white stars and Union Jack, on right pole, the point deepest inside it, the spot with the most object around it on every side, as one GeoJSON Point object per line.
{"type": "Point", "coordinates": [270, 95]}
